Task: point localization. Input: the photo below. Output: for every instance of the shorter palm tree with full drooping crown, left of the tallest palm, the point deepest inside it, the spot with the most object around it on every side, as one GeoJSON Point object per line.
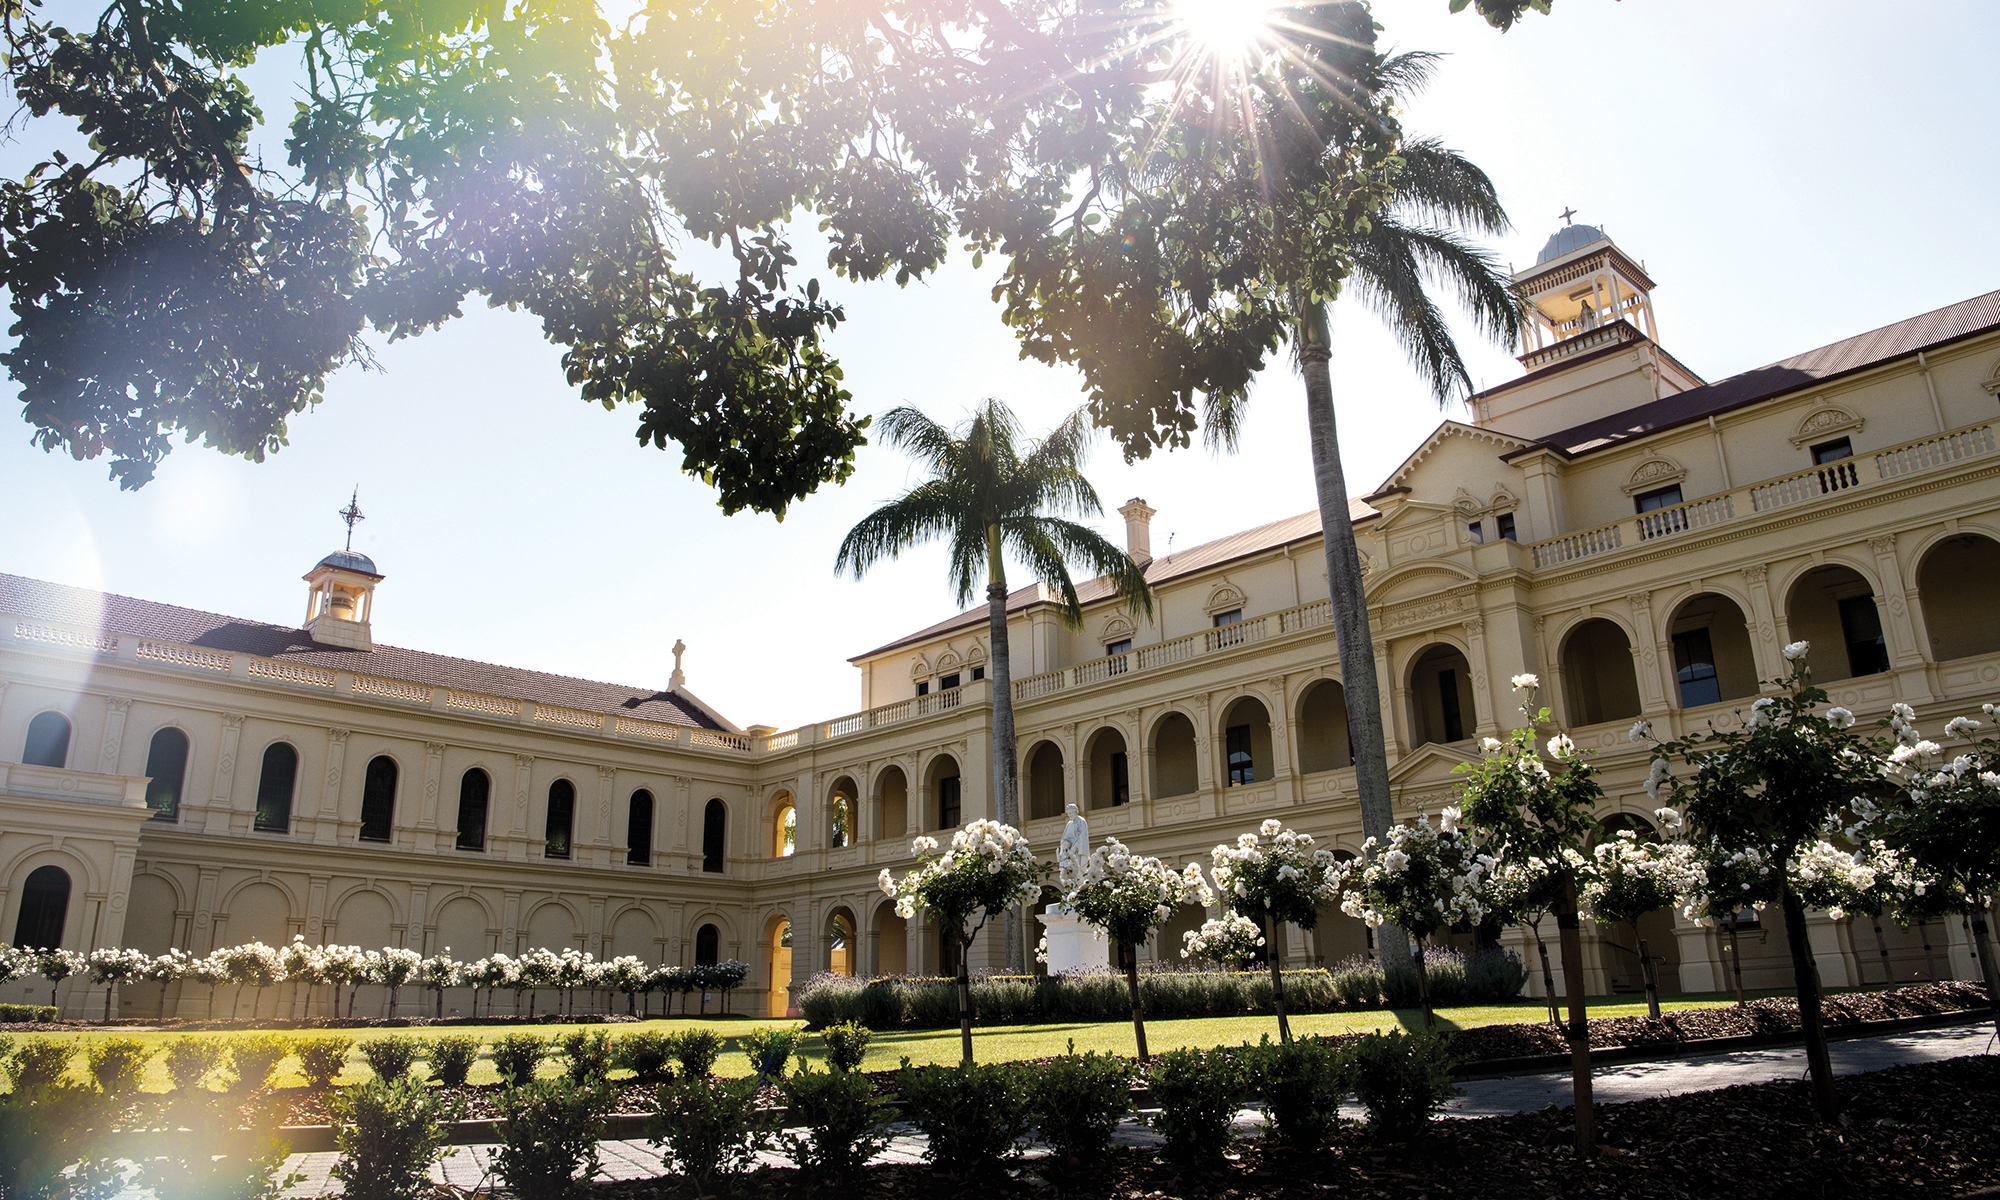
{"type": "Point", "coordinates": [991, 495]}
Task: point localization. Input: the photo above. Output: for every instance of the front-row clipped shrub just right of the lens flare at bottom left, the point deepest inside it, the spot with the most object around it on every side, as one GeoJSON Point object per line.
{"type": "Point", "coordinates": [389, 1135]}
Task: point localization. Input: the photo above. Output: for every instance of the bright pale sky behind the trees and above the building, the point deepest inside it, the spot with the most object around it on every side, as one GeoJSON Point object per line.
{"type": "Point", "coordinates": [1791, 171]}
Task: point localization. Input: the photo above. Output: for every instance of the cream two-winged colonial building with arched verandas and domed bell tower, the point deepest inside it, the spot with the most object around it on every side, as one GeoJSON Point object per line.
{"type": "Point", "coordinates": [1637, 537]}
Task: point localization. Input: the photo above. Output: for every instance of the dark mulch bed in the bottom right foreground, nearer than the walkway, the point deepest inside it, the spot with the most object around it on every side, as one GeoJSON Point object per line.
{"type": "Point", "coordinates": [1911, 1131]}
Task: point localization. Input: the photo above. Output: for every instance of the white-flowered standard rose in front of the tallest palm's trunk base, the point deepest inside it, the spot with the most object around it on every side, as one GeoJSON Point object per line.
{"type": "Point", "coordinates": [1421, 879]}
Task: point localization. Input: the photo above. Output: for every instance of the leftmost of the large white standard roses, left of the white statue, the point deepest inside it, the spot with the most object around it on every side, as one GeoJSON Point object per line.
{"type": "Point", "coordinates": [987, 869]}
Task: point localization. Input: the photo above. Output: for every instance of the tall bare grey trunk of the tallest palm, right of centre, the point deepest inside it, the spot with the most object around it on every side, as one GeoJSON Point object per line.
{"type": "Point", "coordinates": [1351, 605]}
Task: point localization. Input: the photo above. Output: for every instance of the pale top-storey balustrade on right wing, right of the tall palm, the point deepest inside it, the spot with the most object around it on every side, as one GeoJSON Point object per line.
{"type": "Point", "coordinates": [1807, 487]}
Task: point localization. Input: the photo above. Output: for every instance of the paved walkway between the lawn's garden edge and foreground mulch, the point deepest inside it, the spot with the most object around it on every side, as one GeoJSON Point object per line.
{"type": "Point", "coordinates": [1639, 1081]}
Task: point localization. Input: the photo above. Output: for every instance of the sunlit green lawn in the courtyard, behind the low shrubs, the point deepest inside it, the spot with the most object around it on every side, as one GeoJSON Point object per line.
{"type": "Point", "coordinates": [927, 1047]}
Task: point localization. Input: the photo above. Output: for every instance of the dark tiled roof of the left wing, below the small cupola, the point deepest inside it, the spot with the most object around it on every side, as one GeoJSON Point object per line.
{"type": "Point", "coordinates": [191, 627]}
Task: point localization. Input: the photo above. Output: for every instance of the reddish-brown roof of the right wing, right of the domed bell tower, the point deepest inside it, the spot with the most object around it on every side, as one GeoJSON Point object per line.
{"type": "Point", "coordinates": [1873, 349]}
